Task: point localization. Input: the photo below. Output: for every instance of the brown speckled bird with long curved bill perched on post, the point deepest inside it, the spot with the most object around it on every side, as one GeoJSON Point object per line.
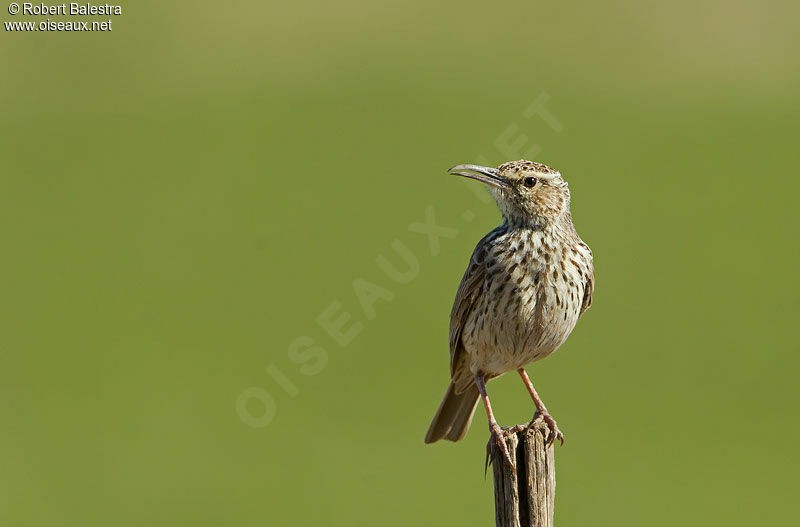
{"type": "Point", "coordinates": [527, 284]}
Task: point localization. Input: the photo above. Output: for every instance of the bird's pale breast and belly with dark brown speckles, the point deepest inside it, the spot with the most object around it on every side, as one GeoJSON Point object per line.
{"type": "Point", "coordinates": [531, 296]}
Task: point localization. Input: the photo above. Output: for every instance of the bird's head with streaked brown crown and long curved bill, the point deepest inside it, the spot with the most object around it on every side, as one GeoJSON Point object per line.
{"type": "Point", "coordinates": [526, 192]}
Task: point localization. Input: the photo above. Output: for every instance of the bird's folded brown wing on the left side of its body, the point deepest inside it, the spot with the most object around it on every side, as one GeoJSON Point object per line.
{"type": "Point", "coordinates": [468, 291]}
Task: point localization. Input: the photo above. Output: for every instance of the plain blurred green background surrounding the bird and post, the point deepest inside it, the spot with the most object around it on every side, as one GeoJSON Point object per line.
{"type": "Point", "coordinates": [184, 195]}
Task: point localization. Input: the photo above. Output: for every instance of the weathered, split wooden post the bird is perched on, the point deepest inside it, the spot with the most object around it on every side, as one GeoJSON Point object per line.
{"type": "Point", "coordinates": [525, 498]}
